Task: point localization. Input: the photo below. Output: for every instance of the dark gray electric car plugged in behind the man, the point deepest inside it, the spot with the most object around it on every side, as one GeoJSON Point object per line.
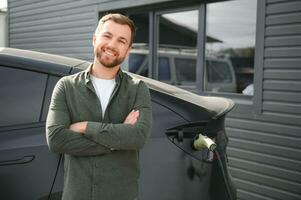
{"type": "Point", "coordinates": [171, 166]}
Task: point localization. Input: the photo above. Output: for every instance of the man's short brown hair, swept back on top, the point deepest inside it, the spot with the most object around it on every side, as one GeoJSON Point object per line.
{"type": "Point", "coordinates": [119, 19]}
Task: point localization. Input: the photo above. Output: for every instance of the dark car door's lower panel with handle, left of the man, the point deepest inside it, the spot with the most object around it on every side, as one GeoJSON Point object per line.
{"type": "Point", "coordinates": [26, 165]}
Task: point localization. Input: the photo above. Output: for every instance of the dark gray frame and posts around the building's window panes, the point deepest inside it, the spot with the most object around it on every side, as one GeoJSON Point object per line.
{"type": "Point", "coordinates": [245, 104]}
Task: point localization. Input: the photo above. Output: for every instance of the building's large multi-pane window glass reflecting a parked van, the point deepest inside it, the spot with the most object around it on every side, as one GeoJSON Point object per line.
{"type": "Point", "coordinates": [222, 61]}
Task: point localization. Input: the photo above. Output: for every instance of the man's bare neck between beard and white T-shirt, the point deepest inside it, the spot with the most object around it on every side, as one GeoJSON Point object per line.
{"type": "Point", "coordinates": [103, 72]}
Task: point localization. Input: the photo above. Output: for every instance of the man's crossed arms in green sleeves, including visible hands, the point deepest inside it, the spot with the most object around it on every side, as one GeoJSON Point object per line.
{"type": "Point", "coordinates": [90, 138]}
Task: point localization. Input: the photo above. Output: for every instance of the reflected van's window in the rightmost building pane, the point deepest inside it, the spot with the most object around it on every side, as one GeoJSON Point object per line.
{"type": "Point", "coordinates": [218, 72]}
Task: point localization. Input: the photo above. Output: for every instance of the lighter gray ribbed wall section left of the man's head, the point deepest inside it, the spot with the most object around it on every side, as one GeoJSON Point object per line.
{"type": "Point", "coordinates": [60, 27]}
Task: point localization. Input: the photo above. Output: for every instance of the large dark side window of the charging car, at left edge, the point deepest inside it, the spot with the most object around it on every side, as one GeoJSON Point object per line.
{"type": "Point", "coordinates": [22, 94]}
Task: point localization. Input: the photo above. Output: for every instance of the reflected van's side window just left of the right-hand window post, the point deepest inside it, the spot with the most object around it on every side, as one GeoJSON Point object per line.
{"type": "Point", "coordinates": [185, 69]}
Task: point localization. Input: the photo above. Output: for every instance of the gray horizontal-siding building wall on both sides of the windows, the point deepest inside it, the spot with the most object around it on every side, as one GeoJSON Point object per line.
{"type": "Point", "coordinates": [265, 133]}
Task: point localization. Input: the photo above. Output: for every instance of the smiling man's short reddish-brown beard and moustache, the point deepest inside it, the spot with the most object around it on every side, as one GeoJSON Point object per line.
{"type": "Point", "coordinates": [107, 62]}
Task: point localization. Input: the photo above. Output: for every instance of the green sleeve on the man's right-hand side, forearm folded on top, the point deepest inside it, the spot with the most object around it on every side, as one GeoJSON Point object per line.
{"type": "Point", "coordinates": [125, 136]}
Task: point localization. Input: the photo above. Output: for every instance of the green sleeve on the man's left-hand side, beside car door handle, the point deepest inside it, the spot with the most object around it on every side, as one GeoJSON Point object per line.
{"type": "Point", "coordinates": [60, 138]}
